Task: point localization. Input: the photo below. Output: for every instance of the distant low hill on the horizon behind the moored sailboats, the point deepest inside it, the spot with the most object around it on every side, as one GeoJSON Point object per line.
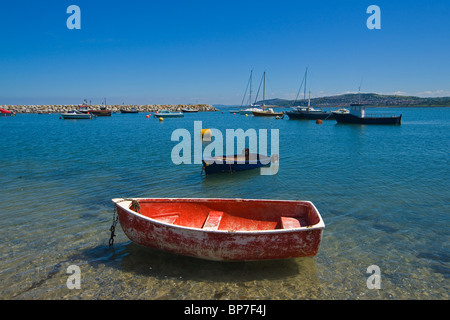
{"type": "Point", "coordinates": [369, 99]}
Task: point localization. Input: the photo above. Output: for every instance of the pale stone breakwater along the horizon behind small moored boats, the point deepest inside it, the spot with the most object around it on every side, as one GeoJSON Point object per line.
{"type": "Point", "coordinates": [113, 108]}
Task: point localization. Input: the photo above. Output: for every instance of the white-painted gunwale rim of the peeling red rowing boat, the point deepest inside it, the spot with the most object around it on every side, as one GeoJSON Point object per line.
{"type": "Point", "coordinates": [125, 203]}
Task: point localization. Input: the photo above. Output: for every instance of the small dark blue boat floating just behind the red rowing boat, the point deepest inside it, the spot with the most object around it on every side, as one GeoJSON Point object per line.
{"type": "Point", "coordinates": [234, 163]}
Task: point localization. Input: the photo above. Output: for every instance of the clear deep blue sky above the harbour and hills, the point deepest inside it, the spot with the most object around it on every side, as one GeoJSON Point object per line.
{"type": "Point", "coordinates": [170, 52]}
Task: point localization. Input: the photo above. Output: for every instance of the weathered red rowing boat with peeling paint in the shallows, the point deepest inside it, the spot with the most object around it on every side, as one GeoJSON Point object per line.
{"type": "Point", "coordinates": [223, 229]}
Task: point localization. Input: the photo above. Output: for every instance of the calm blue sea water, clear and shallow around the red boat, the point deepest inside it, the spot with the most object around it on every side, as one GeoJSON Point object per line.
{"type": "Point", "coordinates": [382, 191]}
